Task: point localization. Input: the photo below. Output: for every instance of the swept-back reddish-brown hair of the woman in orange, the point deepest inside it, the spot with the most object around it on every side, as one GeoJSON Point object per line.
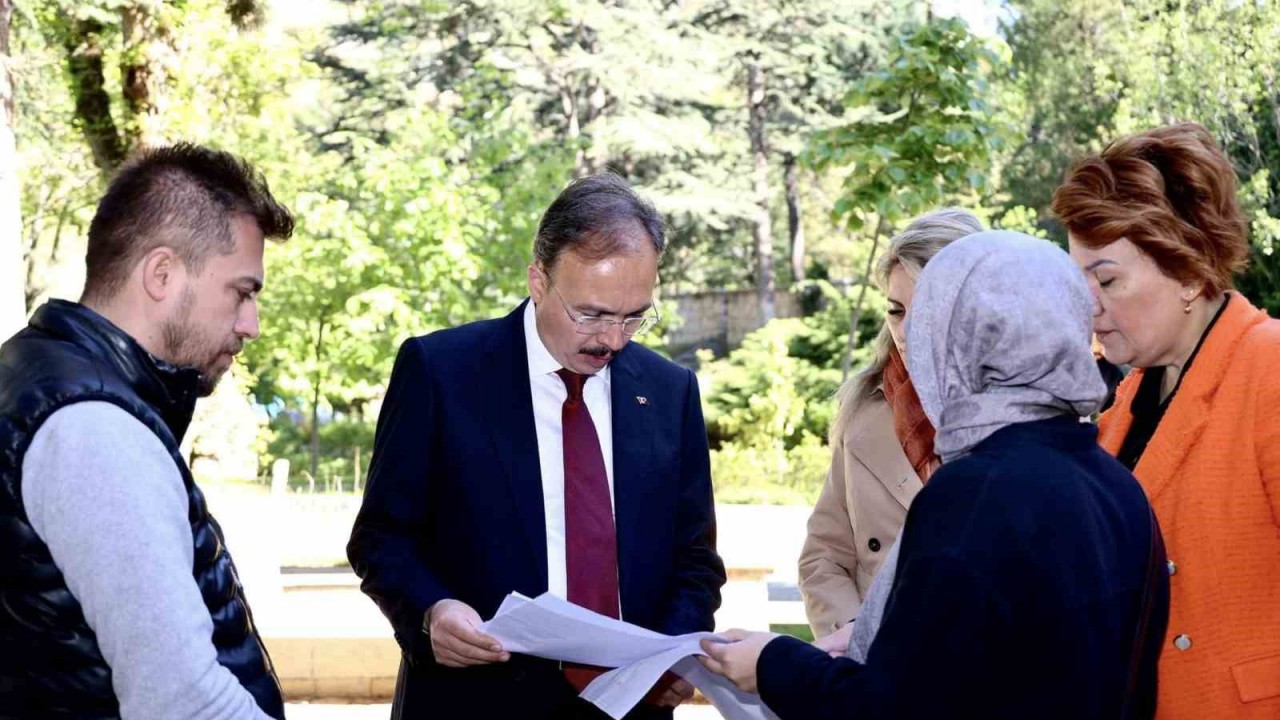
{"type": "Point", "coordinates": [1172, 193]}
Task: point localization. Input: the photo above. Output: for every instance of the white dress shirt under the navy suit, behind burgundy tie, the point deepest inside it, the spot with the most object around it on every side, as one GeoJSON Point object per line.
{"type": "Point", "coordinates": [550, 395]}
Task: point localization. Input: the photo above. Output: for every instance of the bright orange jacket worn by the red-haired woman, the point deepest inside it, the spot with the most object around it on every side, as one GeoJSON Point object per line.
{"type": "Point", "coordinates": [1213, 473]}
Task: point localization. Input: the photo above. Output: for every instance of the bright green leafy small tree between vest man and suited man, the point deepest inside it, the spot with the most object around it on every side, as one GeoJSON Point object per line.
{"type": "Point", "coordinates": [399, 247]}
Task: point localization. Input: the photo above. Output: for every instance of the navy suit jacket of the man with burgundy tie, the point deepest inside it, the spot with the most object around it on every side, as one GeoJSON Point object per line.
{"type": "Point", "coordinates": [454, 507]}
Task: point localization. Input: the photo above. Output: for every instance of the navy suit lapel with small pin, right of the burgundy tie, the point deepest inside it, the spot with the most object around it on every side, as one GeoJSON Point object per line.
{"type": "Point", "coordinates": [634, 486]}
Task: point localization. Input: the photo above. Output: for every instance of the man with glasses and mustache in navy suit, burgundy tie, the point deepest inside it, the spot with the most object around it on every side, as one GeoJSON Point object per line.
{"type": "Point", "coordinates": [537, 453]}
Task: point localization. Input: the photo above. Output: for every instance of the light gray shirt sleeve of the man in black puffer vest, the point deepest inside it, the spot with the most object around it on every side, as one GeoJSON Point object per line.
{"type": "Point", "coordinates": [104, 495]}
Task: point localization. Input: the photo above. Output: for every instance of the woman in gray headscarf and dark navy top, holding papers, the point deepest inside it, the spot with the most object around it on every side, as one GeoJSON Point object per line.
{"type": "Point", "coordinates": [1030, 577]}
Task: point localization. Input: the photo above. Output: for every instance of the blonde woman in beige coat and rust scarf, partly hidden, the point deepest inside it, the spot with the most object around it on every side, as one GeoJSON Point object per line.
{"type": "Point", "coordinates": [883, 446]}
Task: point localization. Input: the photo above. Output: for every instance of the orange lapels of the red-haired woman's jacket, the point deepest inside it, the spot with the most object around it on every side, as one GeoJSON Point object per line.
{"type": "Point", "coordinates": [1188, 412]}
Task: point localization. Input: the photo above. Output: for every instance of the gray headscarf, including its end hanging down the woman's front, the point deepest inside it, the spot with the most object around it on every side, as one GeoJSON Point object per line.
{"type": "Point", "coordinates": [1031, 349]}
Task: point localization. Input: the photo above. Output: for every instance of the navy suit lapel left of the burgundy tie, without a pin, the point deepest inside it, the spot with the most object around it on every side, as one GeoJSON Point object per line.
{"type": "Point", "coordinates": [514, 434]}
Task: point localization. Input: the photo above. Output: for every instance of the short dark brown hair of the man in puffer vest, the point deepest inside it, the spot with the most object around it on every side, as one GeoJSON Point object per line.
{"type": "Point", "coordinates": [181, 197]}
